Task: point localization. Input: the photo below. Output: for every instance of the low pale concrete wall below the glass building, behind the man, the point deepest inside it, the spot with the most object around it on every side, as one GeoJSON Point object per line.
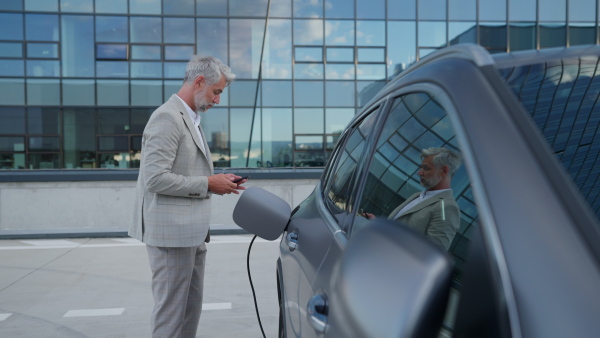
{"type": "Point", "coordinates": [43, 206]}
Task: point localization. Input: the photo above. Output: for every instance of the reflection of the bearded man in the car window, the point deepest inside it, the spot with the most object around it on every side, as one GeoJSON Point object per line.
{"type": "Point", "coordinates": [433, 212]}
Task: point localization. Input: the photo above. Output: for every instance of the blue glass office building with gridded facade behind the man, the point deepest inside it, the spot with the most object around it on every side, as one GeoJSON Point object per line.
{"type": "Point", "coordinates": [79, 78]}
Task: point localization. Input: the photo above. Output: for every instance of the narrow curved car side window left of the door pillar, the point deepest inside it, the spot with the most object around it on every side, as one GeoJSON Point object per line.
{"type": "Point", "coordinates": [339, 184]}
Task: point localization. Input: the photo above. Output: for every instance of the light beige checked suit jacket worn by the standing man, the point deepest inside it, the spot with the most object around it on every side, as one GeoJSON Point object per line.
{"type": "Point", "coordinates": [172, 206]}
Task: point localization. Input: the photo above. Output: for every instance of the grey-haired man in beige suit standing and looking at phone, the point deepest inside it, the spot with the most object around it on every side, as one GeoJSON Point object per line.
{"type": "Point", "coordinates": [172, 206]}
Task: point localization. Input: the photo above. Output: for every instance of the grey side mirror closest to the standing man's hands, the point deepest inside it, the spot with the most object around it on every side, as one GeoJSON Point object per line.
{"type": "Point", "coordinates": [262, 213]}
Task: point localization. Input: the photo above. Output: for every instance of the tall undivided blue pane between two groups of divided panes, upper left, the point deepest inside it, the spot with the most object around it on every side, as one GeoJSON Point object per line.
{"type": "Point", "coordinates": [77, 47]}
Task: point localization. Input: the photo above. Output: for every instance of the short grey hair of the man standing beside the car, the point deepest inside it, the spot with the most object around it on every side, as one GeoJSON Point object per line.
{"type": "Point", "coordinates": [210, 67]}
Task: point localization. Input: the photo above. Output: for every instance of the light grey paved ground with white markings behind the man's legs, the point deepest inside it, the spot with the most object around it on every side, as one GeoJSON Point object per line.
{"type": "Point", "coordinates": [101, 288]}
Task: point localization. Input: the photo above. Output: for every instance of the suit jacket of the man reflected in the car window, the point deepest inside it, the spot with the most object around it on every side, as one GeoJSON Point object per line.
{"type": "Point", "coordinates": [437, 217]}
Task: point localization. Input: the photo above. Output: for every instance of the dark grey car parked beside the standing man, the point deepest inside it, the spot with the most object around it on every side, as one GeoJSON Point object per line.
{"type": "Point", "coordinates": [525, 260]}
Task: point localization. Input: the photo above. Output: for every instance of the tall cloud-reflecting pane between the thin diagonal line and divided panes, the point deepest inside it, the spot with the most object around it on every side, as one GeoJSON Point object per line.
{"type": "Point", "coordinates": [277, 56]}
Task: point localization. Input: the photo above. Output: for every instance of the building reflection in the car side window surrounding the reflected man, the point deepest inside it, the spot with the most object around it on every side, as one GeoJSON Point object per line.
{"type": "Point", "coordinates": [415, 122]}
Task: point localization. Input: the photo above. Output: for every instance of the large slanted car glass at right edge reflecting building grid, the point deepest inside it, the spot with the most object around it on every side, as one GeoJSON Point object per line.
{"type": "Point", "coordinates": [562, 97]}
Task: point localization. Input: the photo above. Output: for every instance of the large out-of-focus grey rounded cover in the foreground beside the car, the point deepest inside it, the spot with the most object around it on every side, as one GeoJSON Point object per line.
{"type": "Point", "coordinates": [390, 282]}
